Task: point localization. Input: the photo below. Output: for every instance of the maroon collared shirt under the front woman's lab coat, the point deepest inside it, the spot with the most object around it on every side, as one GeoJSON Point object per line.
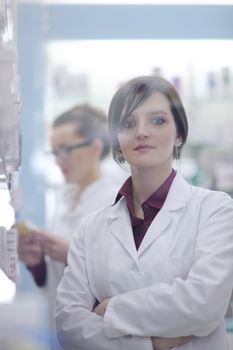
{"type": "Point", "coordinates": [150, 207]}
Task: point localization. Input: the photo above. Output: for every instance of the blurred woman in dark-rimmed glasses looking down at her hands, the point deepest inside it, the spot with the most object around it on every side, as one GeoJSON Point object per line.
{"type": "Point", "coordinates": [79, 140]}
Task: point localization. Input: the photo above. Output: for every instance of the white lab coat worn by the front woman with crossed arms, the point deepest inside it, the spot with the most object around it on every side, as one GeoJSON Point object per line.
{"type": "Point", "coordinates": [178, 283]}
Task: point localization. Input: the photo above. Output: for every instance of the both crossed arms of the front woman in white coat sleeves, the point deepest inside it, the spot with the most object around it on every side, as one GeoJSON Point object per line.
{"type": "Point", "coordinates": [194, 306]}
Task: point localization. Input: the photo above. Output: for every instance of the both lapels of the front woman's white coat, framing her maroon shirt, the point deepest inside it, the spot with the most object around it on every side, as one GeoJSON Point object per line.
{"type": "Point", "coordinates": [120, 226]}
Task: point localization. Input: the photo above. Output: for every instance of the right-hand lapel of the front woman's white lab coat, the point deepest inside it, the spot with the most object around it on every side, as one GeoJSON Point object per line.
{"type": "Point", "coordinates": [176, 199]}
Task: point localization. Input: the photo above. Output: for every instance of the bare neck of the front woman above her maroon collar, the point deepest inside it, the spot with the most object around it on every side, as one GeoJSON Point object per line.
{"type": "Point", "coordinates": [145, 182]}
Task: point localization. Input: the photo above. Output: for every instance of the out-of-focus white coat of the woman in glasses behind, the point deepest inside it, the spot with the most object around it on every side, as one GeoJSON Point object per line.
{"type": "Point", "coordinates": [65, 222]}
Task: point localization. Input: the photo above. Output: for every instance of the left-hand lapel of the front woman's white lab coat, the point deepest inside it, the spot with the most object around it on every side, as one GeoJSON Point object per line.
{"type": "Point", "coordinates": [121, 228]}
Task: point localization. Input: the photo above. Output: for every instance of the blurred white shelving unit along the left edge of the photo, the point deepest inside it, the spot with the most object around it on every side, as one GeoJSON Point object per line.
{"type": "Point", "coordinates": [10, 110]}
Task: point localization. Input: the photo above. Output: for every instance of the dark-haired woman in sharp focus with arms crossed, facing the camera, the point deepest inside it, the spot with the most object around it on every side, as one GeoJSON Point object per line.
{"type": "Point", "coordinates": [159, 273]}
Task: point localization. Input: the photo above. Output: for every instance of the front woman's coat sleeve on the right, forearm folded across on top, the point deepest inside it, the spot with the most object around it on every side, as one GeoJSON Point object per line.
{"type": "Point", "coordinates": [195, 306]}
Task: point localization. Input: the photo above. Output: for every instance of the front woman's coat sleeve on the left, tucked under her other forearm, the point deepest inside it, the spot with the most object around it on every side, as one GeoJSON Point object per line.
{"type": "Point", "coordinates": [78, 327]}
